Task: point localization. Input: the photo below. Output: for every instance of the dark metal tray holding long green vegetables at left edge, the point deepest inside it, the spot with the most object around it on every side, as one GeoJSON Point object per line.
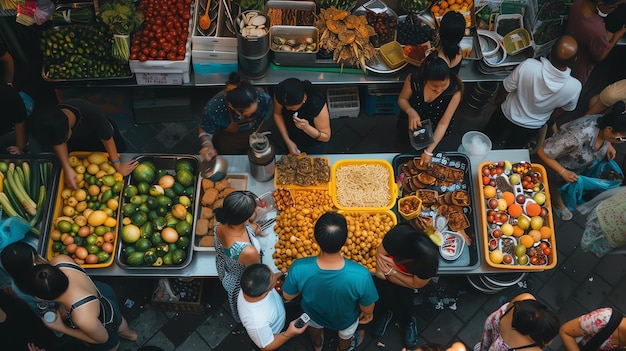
{"type": "Point", "coordinates": [45, 221]}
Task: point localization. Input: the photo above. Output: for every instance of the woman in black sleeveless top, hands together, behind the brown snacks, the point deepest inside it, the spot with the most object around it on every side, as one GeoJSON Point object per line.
{"type": "Point", "coordinates": [301, 116]}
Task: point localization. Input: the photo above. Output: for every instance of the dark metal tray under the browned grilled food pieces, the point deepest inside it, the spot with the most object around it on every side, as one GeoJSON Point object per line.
{"type": "Point", "coordinates": [470, 258]}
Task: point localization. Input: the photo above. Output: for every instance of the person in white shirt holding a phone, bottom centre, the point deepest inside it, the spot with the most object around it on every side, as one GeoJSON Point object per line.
{"type": "Point", "coordinates": [261, 309]}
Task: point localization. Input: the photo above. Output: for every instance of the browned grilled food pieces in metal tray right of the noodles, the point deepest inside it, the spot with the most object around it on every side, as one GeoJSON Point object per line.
{"type": "Point", "coordinates": [443, 186]}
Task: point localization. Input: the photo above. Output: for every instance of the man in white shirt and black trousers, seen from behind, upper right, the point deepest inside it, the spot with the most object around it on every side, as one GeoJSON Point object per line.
{"type": "Point", "coordinates": [538, 89]}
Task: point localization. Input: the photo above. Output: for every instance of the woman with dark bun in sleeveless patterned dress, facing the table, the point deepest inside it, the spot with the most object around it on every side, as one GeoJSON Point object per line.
{"type": "Point", "coordinates": [236, 245]}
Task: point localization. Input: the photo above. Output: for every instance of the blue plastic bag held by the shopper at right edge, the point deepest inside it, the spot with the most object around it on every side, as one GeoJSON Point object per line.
{"type": "Point", "coordinates": [573, 193]}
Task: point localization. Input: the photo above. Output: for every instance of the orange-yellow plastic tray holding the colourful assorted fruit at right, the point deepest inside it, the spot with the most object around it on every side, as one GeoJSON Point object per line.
{"type": "Point", "coordinates": [552, 258]}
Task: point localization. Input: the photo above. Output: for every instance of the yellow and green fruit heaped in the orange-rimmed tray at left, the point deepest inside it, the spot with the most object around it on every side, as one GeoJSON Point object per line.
{"type": "Point", "coordinates": [85, 220]}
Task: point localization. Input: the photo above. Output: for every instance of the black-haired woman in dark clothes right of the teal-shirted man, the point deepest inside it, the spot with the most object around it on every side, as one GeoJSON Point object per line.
{"type": "Point", "coordinates": [406, 260]}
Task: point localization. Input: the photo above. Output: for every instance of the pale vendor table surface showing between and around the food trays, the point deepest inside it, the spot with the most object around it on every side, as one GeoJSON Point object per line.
{"type": "Point", "coordinates": [203, 262]}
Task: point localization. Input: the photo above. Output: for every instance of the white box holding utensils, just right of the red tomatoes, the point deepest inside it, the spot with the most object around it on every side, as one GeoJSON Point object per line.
{"type": "Point", "coordinates": [222, 40]}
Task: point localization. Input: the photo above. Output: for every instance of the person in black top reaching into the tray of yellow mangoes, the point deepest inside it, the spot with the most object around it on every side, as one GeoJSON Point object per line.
{"type": "Point", "coordinates": [78, 125]}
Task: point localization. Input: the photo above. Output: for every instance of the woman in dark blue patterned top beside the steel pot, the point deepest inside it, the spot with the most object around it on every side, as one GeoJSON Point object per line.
{"type": "Point", "coordinates": [231, 116]}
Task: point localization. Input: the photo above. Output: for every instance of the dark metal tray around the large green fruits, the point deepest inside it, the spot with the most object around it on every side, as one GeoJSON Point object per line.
{"type": "Point", "coordinates": [167, 162]}
